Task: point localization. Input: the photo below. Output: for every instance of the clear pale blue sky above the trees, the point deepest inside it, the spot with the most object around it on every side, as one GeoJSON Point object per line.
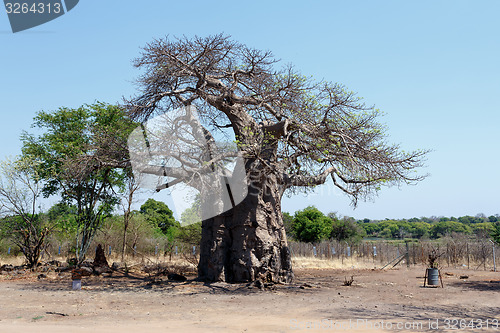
{"type": "Point", "coordinates": [432, 66]}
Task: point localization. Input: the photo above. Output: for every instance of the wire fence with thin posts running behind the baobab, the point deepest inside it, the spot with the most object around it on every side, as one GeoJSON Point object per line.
{"type": "Point", "coordinates": [464, 253]}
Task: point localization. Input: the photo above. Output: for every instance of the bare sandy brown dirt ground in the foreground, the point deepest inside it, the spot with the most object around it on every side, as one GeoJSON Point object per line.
{"type": "Point", "coordinates": [378, 301]}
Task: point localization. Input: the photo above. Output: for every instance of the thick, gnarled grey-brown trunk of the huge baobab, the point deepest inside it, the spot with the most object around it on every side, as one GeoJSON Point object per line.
{"type": "Point", "coordinates": [248, 242]}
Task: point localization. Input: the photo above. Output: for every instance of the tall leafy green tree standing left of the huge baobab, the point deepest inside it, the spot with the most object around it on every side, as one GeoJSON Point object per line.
{"type": "Point", "coordinates": [78, 152]}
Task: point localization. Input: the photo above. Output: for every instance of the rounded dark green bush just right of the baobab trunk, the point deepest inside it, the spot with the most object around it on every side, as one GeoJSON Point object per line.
{"type": "Point", "coordinates": [311, 225]}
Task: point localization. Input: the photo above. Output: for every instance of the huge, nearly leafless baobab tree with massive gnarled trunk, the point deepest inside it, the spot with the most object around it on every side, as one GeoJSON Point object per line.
{"type": "Point", "coordinates": [292, 133]}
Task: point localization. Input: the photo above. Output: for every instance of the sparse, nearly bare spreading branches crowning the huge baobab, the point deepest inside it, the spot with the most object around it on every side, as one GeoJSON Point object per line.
{"type": "Point", "coordinates": [305, 130]}
